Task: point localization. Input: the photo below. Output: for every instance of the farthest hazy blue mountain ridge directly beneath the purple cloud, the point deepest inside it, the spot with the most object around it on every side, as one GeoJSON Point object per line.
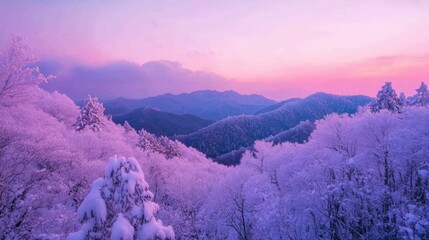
{"type": "Point", "coordinates": [208, 104]}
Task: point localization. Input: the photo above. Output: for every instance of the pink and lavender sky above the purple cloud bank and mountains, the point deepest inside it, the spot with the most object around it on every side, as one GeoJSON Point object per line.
{"type": "Point", "coordinates": [295, 47]}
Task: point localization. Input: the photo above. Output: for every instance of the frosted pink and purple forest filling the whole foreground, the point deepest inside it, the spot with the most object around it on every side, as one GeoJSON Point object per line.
{"type": "Point", "coordinates": [70, 173]}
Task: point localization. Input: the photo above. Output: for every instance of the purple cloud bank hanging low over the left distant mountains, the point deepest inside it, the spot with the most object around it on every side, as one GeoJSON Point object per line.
{"type": "Point", "coordinates": [127, 79]}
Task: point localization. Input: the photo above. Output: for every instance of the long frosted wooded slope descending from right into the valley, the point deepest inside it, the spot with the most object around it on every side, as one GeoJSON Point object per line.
{"type": "Point", "coordinates": [241, 131]}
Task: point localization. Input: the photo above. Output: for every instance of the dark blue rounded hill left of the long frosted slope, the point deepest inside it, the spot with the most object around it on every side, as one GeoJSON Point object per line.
{"type": "Point", "coordinates": [161, 123]}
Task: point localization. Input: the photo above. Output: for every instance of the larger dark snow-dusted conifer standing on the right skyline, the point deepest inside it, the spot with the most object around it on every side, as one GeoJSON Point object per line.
{"type": "Point", "coordinates": [386, 99]}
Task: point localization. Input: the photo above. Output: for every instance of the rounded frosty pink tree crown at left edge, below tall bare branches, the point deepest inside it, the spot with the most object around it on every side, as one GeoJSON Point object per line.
{"type": "Point", "coordinates": [32, 159]}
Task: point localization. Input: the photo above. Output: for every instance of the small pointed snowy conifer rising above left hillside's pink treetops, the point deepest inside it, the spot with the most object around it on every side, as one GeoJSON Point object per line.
{"type": "Point", "coordinates": [91, 115]}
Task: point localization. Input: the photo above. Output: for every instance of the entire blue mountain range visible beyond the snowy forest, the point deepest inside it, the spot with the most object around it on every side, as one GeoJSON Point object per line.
{"type": "Point", "coordinates": [223, 125]}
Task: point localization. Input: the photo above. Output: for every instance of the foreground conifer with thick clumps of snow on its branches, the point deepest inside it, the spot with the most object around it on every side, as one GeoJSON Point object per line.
{"type": "Point", "coordinates": [120, 206]}
